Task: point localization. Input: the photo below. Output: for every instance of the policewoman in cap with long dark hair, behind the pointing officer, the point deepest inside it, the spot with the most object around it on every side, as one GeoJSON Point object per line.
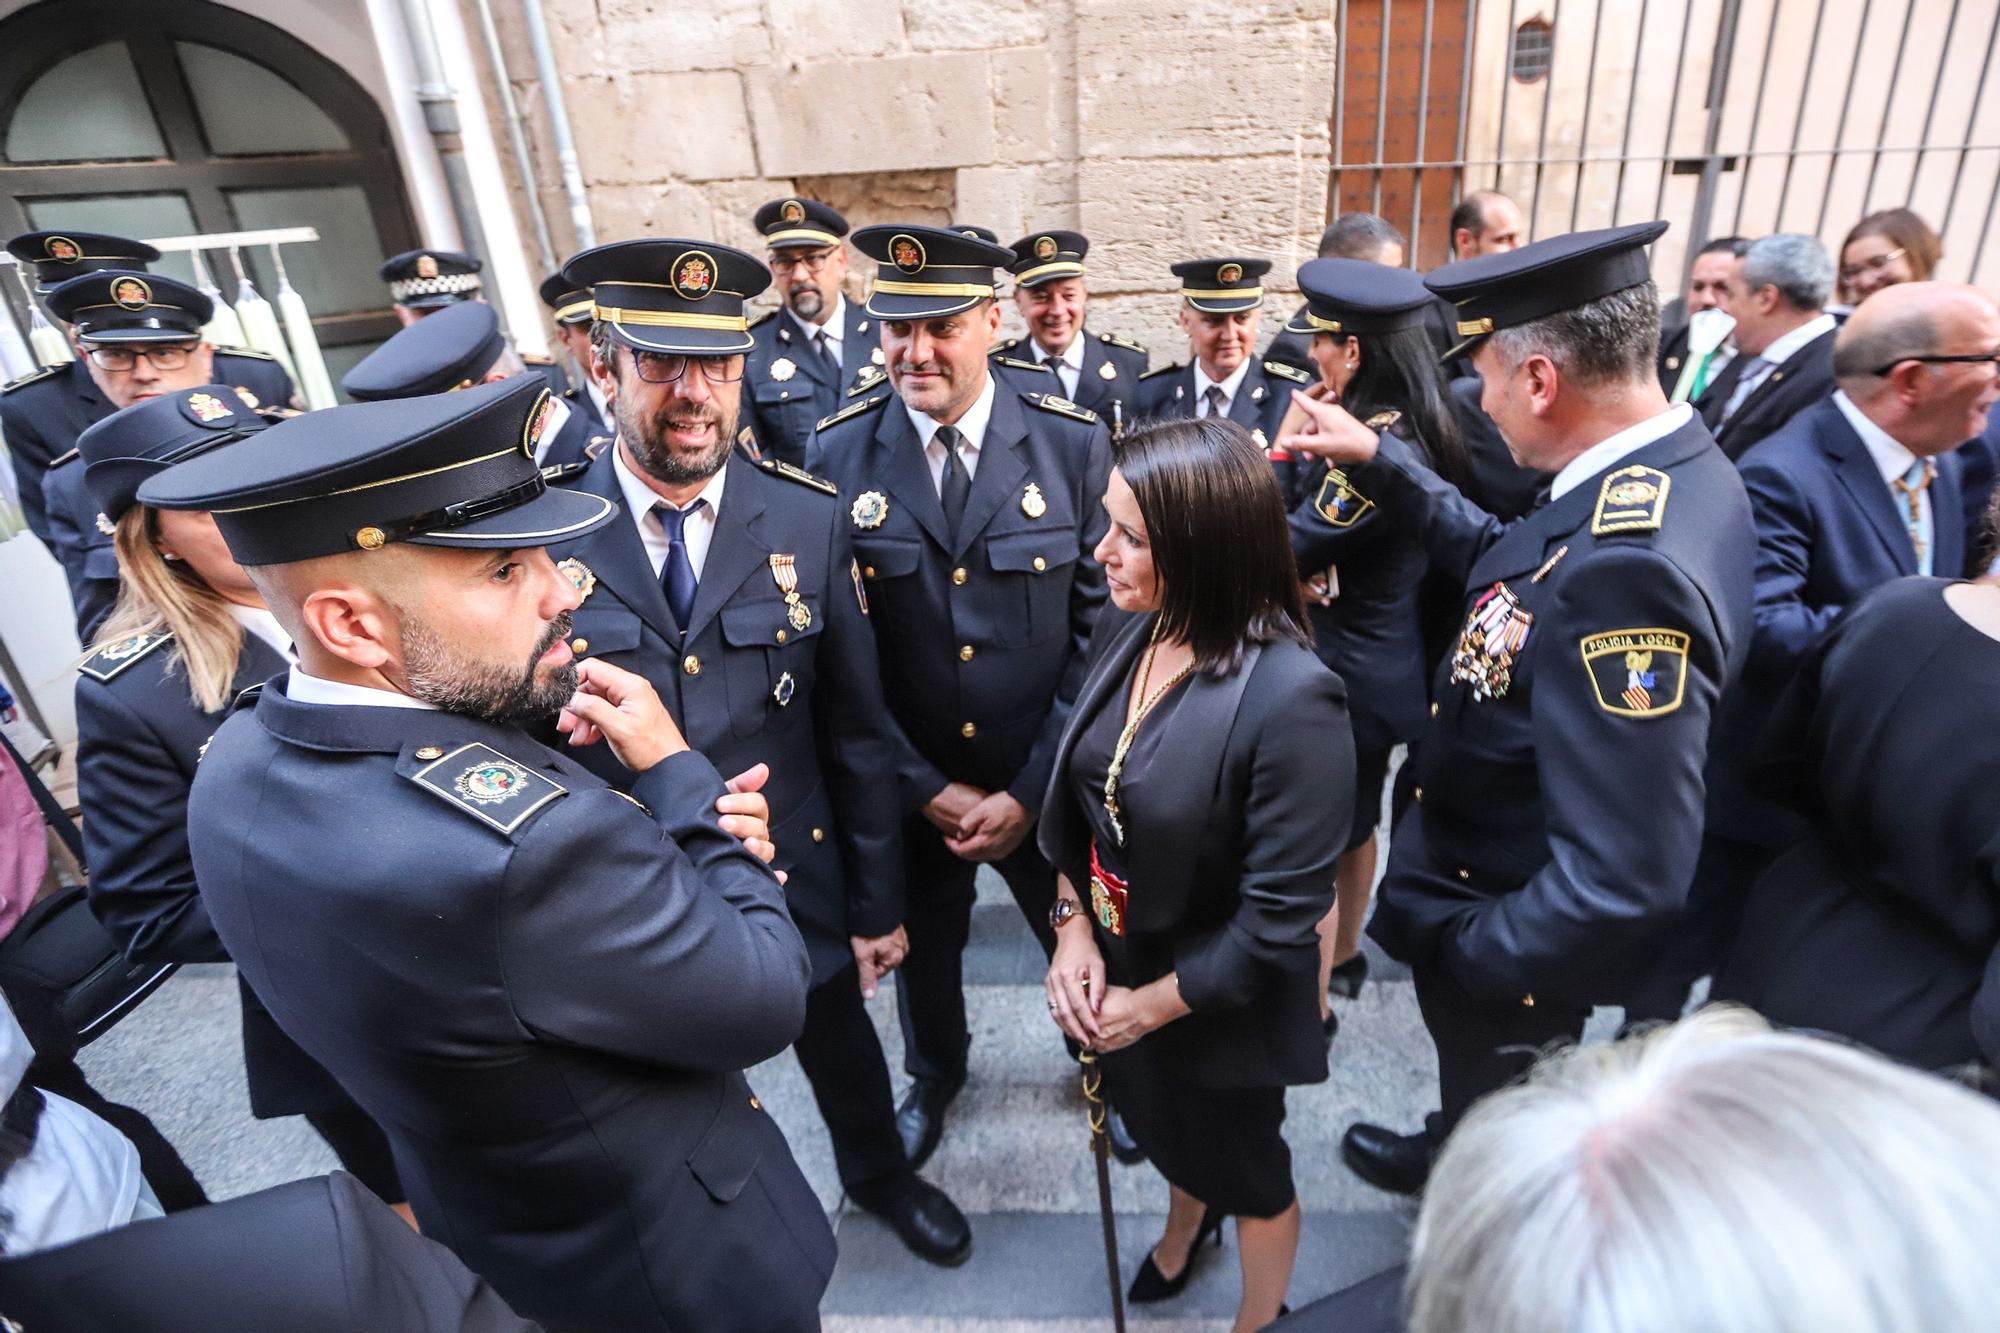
{"type": "Point", "coordinates": [1365, 579]}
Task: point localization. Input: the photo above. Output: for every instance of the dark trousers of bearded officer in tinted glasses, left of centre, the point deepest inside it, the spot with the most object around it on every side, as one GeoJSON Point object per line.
{"type": "Point", "coordinates": [849, 1076]}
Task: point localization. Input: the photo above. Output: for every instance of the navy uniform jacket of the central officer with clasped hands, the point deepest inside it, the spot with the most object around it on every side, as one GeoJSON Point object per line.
{"type": "Point", "coordinates": [983, 637]}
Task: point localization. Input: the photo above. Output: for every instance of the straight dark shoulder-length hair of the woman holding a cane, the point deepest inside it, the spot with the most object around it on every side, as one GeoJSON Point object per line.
{"type": "Point", "coordinates": [1221, 547]}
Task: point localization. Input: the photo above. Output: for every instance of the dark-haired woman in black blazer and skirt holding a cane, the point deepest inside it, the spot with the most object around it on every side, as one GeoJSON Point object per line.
{"type": "Point", "coordinates": [1203, 792]}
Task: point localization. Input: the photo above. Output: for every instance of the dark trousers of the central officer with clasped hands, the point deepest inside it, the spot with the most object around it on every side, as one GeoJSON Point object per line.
{"type": "Point", "coordinates": [931, 992]}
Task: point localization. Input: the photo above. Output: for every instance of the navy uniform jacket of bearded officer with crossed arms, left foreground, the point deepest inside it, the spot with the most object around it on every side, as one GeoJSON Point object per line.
{"type": "Point", "coordinates": [541, 988]}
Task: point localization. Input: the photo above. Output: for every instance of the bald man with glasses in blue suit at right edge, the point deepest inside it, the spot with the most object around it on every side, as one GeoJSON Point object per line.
{"type": "Point", "coordinates": [1851, 493]}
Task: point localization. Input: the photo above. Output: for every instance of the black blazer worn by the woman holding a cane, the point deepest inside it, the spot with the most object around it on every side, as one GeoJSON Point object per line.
{"type": "Point", "coordinates": [1237, 828]}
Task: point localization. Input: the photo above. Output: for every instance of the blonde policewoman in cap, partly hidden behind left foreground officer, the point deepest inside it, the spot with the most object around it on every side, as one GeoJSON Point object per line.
{"type": "Point", "coordinates": [189, 633]}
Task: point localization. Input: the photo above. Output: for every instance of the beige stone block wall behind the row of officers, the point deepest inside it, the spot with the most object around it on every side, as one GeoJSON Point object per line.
{"type": "Point", "coordinates": [1161, 129]}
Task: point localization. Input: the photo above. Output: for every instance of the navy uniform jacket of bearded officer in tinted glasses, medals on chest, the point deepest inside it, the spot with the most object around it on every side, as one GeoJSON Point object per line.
{"type": "Point", "coordinates": [755, 682]}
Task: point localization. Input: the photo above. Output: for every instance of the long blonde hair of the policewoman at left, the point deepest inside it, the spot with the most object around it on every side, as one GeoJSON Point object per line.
{"type": "Point", "coordinates": [167, 597]}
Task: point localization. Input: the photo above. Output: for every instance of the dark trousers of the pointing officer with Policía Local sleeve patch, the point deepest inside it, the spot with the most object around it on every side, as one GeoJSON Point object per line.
{"type": "Point", "coordinates": [1483, 1046]}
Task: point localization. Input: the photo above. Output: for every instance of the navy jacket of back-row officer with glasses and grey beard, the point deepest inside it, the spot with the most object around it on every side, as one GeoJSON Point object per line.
{"type": "Point", "coordinates": [793, 387]}
